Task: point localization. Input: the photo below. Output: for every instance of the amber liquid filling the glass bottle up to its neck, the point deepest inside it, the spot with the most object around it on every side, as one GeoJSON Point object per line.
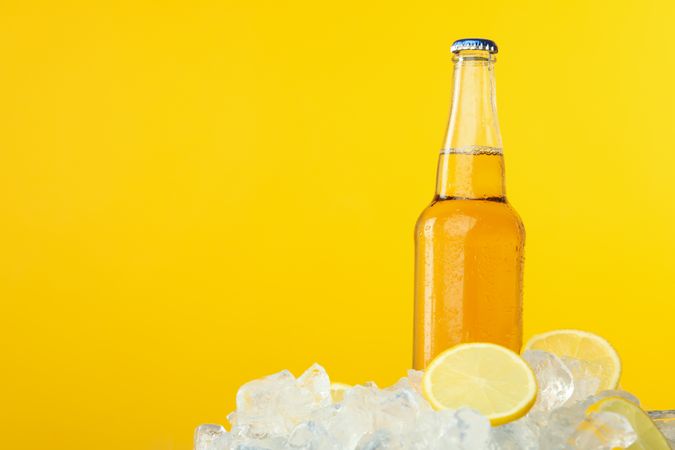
{"type": "Point", "coordinates": [468, 260]}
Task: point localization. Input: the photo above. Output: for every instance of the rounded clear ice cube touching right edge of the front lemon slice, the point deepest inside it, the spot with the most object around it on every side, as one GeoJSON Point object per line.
{"type": "Point", "coordinates": [555, 381]}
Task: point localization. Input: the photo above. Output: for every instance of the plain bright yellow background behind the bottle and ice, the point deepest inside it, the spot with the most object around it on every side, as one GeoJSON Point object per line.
{"type": "Point", "coordinates": [195, 194]}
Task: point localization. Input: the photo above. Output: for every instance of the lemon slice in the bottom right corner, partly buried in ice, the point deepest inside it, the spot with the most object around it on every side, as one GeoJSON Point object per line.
{"type": "Point", "coordinates": [649, 436]}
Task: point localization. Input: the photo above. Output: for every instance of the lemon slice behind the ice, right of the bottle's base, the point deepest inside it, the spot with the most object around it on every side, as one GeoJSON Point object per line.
{"type": "Point", "coordinates": [601, 358]}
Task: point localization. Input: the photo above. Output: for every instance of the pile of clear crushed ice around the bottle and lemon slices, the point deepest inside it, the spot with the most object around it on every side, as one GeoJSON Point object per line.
{"type": "Point", "coordinates": [282, 412]}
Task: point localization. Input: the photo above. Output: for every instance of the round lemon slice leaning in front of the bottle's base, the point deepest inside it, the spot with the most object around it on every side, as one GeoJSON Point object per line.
{"type": "Point", "coordinates": [489, 378]}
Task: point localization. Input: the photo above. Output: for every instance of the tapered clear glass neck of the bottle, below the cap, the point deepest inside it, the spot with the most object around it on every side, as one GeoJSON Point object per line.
{"type": "Point", "coordinates": [471, 164]}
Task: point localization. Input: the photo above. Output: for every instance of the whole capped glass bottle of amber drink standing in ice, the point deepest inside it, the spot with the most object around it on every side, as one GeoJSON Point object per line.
{"type": "Point", "coordinates": [469, 241]}
